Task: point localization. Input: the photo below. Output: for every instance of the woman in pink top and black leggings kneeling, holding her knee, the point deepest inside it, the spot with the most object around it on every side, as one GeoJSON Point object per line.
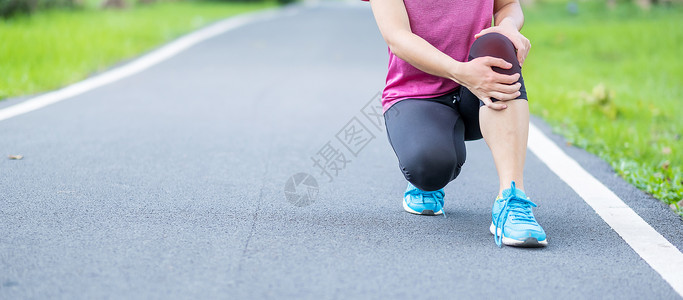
{"type": "Point", "coordinates": [446, 97]}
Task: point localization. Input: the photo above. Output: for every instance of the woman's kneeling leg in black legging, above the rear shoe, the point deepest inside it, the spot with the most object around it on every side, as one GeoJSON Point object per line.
{"type": "Point", "coordinates": [428, 139]}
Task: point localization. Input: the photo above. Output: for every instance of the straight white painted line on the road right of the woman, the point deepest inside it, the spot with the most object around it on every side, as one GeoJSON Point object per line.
{"type": "Point", "coordinates": [658, 252]}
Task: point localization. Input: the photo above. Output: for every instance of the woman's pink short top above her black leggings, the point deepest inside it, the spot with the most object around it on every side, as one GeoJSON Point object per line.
{"type": "Point", "coordinates": [450, 26]}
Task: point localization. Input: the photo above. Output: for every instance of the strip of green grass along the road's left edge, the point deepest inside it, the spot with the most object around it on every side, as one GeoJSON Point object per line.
{"type": "Point", "coordinates": [53, 48]}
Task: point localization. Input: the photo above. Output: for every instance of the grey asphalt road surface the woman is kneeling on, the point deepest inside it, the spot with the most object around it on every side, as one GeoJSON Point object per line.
{"type": "Point", "coordinates": [170, 184]}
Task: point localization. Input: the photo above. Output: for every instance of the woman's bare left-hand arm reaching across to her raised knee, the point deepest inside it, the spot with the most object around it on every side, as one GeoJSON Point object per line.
{"type": "Point", "coordinates": [476, 75]}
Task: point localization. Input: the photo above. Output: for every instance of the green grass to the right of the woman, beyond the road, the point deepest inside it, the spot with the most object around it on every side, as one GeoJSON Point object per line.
{"type": "Point", "coordinates": [612, 83]}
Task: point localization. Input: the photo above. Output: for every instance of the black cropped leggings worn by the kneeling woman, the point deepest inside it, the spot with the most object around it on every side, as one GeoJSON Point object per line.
{"type": "Point", "coordinates": [428, 135]}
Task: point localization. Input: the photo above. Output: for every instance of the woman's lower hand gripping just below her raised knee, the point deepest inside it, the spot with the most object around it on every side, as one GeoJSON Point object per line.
{"type": "Point", "coordinates": [478, 76]}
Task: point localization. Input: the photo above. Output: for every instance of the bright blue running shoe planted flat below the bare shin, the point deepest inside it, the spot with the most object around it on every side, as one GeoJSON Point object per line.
{"type": "Point", "coordinates": [514, 223]}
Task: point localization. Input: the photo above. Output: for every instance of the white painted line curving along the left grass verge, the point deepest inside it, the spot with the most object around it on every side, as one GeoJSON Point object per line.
{"type": "Point", "coordinates": [140, 64]}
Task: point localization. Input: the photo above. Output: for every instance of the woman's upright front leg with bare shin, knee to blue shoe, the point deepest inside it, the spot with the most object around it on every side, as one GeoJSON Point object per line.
{"type": "Point", "coordinates": [506, 132]}
